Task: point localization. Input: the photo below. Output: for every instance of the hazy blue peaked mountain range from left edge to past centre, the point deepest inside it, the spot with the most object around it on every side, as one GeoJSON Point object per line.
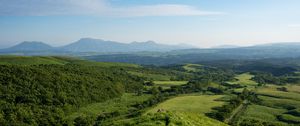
{"type": "Point", "coordinates": [89, 45]}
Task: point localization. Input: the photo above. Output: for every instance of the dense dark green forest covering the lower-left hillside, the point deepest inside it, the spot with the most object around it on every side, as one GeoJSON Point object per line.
{"type": "Point", "coordinates": [43, 94]}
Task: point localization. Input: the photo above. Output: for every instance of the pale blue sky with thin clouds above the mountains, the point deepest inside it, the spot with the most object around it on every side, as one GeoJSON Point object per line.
{"type": "Point", "coordinates": [201, 23]}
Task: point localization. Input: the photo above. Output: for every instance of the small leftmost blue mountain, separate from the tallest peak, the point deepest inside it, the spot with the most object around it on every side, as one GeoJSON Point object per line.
{"type": "Point", "coordinates": [27, 46]}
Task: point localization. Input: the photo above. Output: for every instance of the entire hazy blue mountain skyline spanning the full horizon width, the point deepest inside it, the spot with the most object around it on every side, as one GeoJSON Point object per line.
{"type": "Point", "coordinates": [107, 50]}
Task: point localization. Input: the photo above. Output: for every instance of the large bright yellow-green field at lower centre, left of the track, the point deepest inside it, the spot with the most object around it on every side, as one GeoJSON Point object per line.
{"type": "Point", "coordinates": [194, 104]}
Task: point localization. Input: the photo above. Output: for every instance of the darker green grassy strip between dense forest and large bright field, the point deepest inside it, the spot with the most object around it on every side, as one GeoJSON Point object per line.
{"type": "Point", "coordinates": [121, 105]}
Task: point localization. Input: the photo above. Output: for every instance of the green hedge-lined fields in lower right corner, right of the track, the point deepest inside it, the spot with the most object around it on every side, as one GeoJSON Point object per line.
{"type": "Point", "coordinates": [275, 105]}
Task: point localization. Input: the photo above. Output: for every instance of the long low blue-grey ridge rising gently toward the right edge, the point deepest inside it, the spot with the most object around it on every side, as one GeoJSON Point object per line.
{"type": "Point", "coordinates": [277, 50]}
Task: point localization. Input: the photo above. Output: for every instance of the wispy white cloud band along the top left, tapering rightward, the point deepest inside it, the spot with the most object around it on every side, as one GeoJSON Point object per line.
{"type": "Point", "coordinates": [95, 7]}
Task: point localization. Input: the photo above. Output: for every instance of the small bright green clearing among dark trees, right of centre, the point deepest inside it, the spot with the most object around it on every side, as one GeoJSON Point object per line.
{"type": "Point", "coordinates": [244, 79]}
